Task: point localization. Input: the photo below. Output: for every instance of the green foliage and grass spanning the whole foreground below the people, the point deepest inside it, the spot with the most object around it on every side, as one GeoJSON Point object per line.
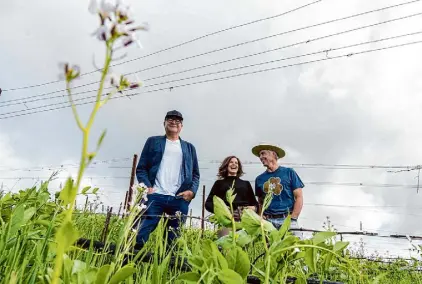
{"type": "Point", "coordinates": [29, 227]}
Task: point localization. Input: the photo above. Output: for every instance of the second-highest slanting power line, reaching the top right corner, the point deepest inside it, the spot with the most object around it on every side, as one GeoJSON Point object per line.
{"type": "Point", "coordinates": [242, 43]}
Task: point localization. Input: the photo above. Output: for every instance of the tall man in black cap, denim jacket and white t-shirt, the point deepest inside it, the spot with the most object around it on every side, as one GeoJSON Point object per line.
{"type": "Point", "coordinates": [168, 166]}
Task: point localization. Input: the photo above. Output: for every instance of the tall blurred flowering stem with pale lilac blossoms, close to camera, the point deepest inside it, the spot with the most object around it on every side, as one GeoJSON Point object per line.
{"type": "Point", "coordinates": [115, 27]}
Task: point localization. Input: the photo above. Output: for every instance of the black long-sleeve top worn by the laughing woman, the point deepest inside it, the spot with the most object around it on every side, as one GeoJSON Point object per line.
{"type": "Point", "coordinates": [242, 188]}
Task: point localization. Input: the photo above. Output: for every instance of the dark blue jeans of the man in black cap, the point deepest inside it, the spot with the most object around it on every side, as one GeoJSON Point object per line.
{"type": "Point", "coordinates": [158, 204]}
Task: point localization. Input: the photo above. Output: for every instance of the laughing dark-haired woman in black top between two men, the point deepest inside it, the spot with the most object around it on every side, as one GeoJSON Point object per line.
{"type": "Point", "coordinates": [230, 170]}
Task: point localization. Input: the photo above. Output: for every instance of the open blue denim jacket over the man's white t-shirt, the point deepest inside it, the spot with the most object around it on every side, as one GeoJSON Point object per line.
{"type": "Point", "coordinates": [150, 161]}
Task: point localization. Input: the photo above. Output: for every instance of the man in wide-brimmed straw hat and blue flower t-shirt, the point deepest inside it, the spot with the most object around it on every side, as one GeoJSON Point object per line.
{"type": "Point", "coordinates": [283, 183]}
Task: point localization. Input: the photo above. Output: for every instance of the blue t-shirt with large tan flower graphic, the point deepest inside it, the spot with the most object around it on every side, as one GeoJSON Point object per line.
{"type": "Point", "coordinates": [281, 183]}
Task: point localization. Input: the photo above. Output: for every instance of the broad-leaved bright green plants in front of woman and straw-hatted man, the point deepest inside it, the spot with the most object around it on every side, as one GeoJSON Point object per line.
{"type": "Point", "coordinates": [281, 248]}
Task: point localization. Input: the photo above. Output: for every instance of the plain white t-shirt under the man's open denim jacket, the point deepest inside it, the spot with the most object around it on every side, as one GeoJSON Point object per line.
{"type": "Point", "coordinates": [168, 178]}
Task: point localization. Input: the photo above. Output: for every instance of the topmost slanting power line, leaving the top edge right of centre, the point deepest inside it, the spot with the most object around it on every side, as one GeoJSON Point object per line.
{"type": "Point", "coordinates": [181, 44]}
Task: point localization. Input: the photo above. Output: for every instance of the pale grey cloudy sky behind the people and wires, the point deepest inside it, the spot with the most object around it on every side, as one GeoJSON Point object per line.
{"type": "Point", "coordinates": [357, 110]}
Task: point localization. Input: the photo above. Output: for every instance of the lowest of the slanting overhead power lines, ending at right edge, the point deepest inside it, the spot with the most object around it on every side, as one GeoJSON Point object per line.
{"type": "Point", "coordinates": [128, 95]}
